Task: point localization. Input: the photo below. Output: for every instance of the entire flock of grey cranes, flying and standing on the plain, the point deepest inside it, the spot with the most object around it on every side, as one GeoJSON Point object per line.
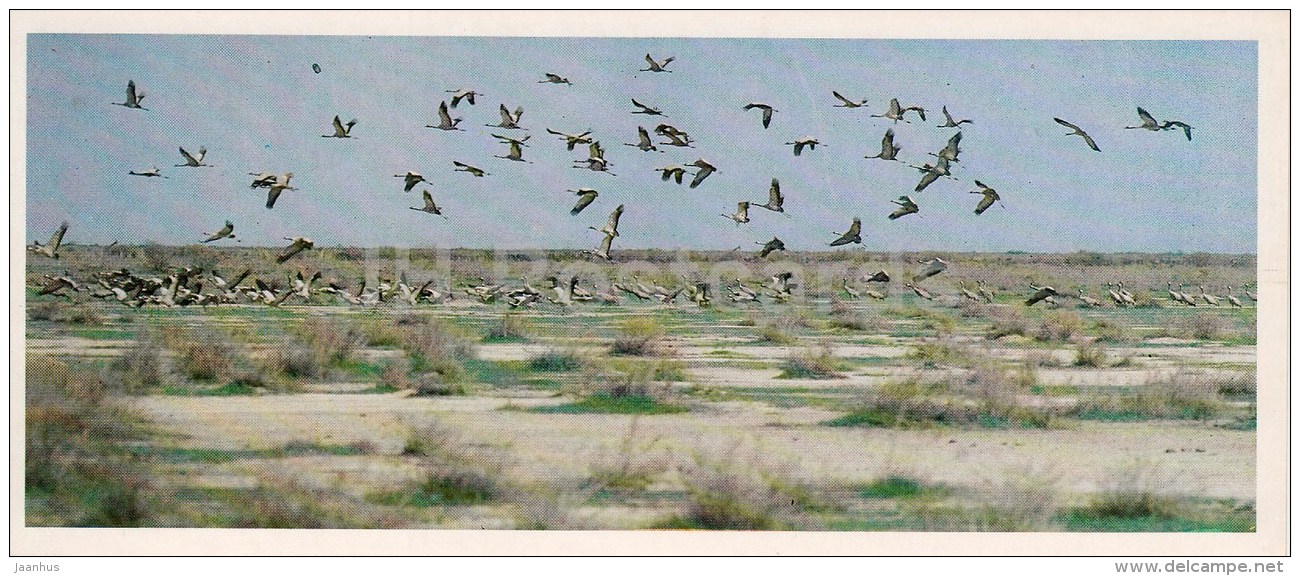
{"type": "Point", "coordinates": [189, 285]}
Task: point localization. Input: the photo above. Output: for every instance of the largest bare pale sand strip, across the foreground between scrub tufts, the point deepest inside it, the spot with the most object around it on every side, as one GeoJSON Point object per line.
{"type": "Point", "coordinates": [1190, 458]}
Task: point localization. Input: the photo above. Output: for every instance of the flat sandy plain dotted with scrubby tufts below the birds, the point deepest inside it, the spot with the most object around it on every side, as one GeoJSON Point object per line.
{"type": "Point", "coordinates": [826, 413]}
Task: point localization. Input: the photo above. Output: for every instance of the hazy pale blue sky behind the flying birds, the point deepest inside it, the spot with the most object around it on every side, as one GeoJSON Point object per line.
{"type": "Point", "coordinates": [257, 105]}
